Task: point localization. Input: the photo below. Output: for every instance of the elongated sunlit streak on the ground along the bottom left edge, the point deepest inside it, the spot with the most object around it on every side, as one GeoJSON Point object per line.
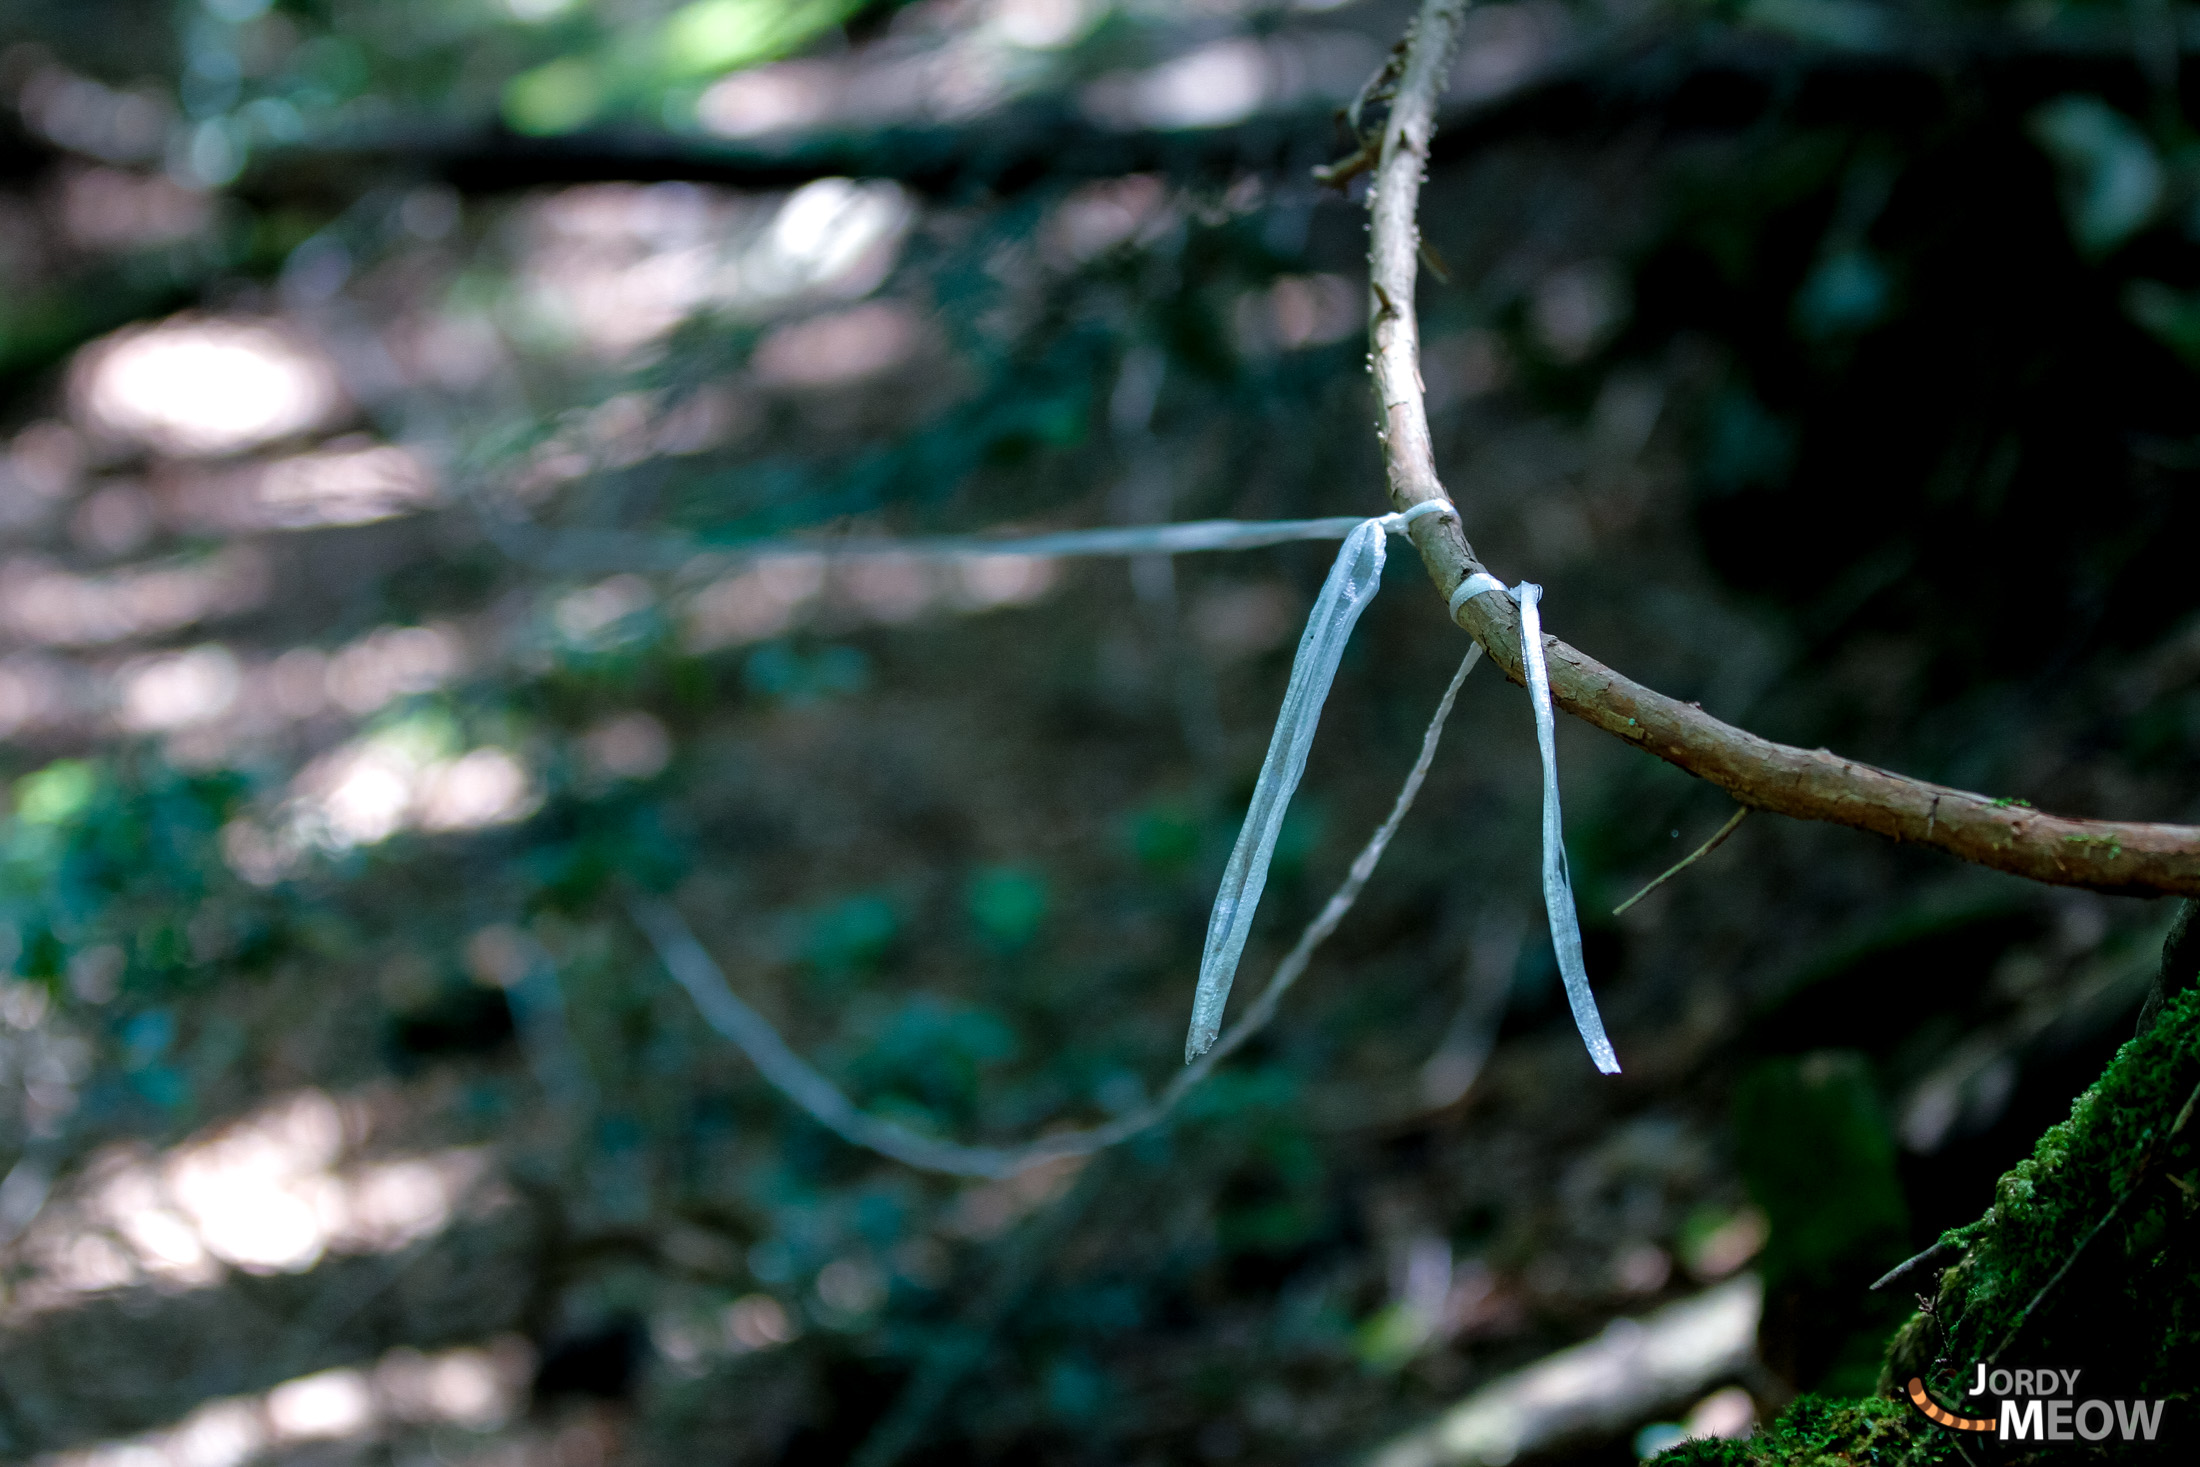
{"type": "Point", "coordinates": [476, 1389]}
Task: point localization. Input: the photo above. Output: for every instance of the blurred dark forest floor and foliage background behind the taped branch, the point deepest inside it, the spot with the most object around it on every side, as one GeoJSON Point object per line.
{"type": "Point", "coordinates": [393, 397]}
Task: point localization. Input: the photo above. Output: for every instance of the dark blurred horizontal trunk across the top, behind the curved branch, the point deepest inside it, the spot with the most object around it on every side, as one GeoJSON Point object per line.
{"type": "Point", "coordinates": [1609, 80]}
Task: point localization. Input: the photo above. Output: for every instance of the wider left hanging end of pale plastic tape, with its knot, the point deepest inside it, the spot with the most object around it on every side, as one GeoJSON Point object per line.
{"type": "Point", "coordinates": [1352, 584]}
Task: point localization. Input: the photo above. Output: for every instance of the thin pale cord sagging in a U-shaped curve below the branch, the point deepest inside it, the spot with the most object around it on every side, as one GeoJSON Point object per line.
{"type": "Point", "coordinates": [698, 973]}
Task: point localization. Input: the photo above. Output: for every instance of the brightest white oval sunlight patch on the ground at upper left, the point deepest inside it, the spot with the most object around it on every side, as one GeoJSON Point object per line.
{"type": "Point", "coordinates": [203, 386]}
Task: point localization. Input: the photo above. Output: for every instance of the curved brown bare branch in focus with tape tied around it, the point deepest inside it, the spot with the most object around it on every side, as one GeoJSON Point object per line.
{"type": "Point", "coordinates": [1792, 782]}
